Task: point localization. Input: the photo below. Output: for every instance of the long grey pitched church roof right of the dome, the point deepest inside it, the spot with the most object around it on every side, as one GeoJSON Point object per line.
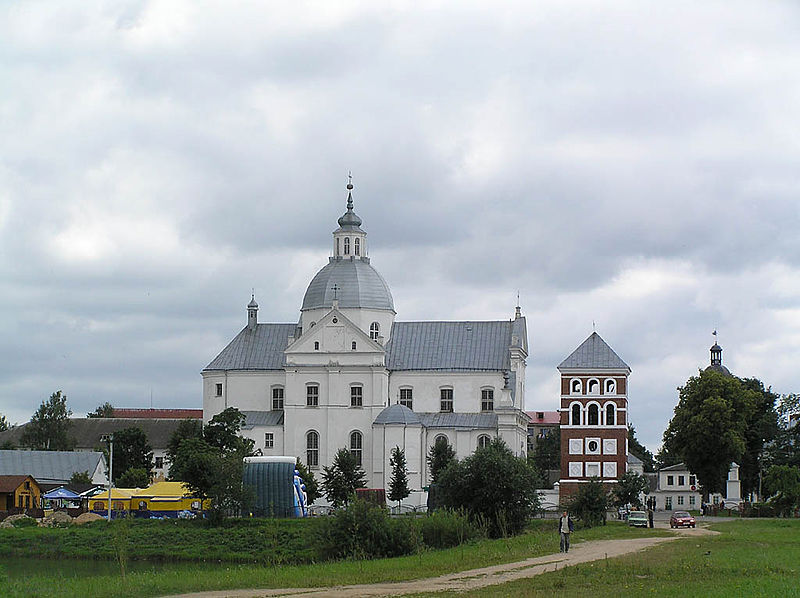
{"type": "Point", "coordinates": [451, 345]}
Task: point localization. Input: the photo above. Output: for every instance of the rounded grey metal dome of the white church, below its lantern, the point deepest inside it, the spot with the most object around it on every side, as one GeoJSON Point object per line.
{"type": "Point", "coordinates": [358, 284]}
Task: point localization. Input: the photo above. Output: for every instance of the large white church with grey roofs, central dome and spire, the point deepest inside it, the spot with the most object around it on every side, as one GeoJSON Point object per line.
{"type": "Point", "coordinates": [347, 375]}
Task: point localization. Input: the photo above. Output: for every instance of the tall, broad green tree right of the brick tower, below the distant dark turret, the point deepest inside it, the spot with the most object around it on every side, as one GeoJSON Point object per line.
{"type": "Point", "coordinates": [709, 427]}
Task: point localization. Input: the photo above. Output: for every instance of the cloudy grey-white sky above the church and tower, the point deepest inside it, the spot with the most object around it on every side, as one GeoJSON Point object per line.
{"type": "Point", "coordinates": [632, 164]}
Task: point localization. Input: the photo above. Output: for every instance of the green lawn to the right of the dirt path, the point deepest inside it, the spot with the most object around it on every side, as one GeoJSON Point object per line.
{"type": "Point", "coordinates": [750, 558]}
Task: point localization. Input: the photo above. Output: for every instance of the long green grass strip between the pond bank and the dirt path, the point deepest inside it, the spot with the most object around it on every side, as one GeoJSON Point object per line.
{"type": "Point", "coordinates": [541, 539]}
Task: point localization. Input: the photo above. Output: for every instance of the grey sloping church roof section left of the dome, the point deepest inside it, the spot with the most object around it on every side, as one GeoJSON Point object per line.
{"type": "Point", "coordinates": [258, 349]}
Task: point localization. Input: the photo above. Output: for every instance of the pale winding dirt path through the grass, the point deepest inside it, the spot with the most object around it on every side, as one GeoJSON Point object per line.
{"type": "Point", "coordinates": [583, 552]}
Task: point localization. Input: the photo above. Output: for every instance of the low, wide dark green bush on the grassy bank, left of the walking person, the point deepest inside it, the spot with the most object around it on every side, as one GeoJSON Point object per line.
{"type": "Point", "coordinates": [365, 531]}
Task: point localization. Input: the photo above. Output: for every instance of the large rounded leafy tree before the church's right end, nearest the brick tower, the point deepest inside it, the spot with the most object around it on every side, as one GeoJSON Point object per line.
{"type": "Point", "coordinates": [494, 485]}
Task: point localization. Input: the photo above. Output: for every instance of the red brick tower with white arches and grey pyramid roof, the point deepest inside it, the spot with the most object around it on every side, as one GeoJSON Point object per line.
{"type": "Point", "coordinates": [594, 416]}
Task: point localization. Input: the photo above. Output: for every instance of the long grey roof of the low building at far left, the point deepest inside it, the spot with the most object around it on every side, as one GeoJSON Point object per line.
{"type": "Point", "coordinates": [48, 466]}
